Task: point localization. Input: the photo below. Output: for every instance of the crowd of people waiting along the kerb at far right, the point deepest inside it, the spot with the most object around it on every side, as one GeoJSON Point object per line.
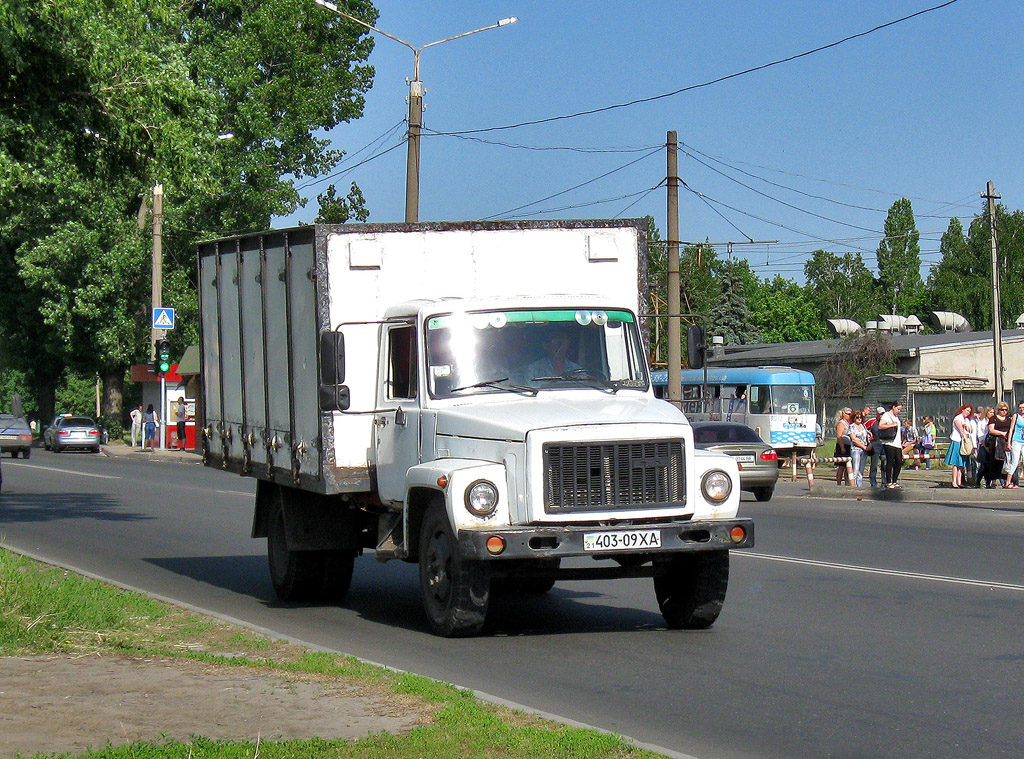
{"type": "Point", "coordinates": [986, 445]}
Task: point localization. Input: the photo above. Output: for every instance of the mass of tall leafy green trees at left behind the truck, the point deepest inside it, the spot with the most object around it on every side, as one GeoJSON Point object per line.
{"type": "Point", "coordinates": [145, 89]}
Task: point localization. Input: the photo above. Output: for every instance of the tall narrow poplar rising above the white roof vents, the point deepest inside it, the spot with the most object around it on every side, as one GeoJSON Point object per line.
{"type": "Point", "coordinates": [901, 286]}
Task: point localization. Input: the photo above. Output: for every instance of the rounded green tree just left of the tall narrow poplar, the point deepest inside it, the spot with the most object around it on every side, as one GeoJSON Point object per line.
{"type": "Point", "coordinates": [841, 286]}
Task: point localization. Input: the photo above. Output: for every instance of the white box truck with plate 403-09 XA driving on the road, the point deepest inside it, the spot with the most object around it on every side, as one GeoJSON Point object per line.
{"type": "Point", "coordinates": [472, 397]}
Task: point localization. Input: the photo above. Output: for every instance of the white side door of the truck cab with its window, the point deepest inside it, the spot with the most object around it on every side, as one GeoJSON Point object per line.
{"type": "Point", "coordinates": [397, 425]}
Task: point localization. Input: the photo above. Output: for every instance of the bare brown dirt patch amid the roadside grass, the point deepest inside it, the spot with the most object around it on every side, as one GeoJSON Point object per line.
{"type": "Point", "coordinates": [63, 704]}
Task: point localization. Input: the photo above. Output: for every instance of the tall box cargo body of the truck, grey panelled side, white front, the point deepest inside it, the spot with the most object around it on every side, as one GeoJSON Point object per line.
{"type": "Point", "coordinates": [266, 298]}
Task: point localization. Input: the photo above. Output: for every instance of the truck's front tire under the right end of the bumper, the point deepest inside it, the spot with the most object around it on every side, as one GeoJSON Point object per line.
{"type": "Point", "coordinates": [692, 591]}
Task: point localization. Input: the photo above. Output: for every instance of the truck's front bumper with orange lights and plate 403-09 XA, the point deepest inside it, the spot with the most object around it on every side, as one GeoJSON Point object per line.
{"type": "Point", "coordinates": [611, 541]}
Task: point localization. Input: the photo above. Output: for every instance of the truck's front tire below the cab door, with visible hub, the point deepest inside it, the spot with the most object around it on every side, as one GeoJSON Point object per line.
{"type": "Point", "coordinates": [455, 592]}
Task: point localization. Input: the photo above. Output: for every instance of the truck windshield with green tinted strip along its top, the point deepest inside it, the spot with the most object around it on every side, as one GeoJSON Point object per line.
{"type": "Point", "coordinates": [534, 350]}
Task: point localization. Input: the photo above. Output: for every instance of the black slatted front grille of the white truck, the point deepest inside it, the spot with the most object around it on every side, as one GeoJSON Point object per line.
{"type": "Point", "coordinates": [588, 477]}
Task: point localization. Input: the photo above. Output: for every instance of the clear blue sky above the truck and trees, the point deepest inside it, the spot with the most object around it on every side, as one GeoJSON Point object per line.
{"type": "Point", "coordinates": [930, 109]}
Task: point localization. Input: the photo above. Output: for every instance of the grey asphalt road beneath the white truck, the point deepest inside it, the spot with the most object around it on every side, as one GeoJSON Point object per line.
{"type": "Point", "coordinates": [854, 629]}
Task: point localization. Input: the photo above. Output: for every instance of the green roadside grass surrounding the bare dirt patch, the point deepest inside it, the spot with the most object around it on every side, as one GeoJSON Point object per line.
{"type": "Point", "coordinates": [51, 611]}
